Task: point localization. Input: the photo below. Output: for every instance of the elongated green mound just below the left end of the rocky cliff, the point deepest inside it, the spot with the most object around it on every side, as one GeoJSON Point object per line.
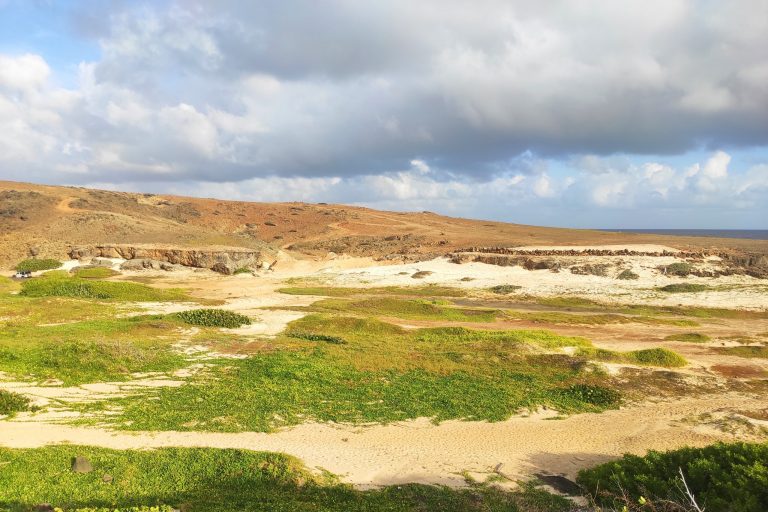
{"type": "Point", "coordinates": [57, 285]}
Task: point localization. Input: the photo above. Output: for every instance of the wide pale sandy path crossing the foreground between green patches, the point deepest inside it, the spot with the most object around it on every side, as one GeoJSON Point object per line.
{"type": "Point", "coordinates": [418, 451]}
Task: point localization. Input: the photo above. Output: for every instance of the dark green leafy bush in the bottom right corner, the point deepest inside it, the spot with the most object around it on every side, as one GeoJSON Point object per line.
{"type": "Point", "coordinates": [732, 477]}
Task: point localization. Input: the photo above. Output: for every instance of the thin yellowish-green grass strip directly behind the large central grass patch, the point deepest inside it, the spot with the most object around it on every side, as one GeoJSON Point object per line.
{"type": "Point", "coordinates": [409, 309]}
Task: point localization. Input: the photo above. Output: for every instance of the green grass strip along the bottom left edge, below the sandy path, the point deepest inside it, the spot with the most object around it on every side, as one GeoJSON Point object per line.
{"type": "Point", "coordinates": [215, 480]}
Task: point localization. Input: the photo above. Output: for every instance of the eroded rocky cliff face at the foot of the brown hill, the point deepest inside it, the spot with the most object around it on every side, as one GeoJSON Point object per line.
{"type": "Point", "coordinates": [225, 260]}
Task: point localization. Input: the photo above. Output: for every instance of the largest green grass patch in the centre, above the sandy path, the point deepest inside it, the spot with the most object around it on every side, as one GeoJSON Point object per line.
{"type": "Point", "coordinates": [383, 373]}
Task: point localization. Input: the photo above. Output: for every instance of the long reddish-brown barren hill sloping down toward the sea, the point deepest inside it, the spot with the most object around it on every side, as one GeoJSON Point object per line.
{"type": "Point", "coordinates": [51, 219]}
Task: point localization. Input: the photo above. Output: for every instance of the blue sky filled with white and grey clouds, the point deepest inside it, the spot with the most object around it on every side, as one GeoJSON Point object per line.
{"type": "Point", "coordinates": [583, 113]}
